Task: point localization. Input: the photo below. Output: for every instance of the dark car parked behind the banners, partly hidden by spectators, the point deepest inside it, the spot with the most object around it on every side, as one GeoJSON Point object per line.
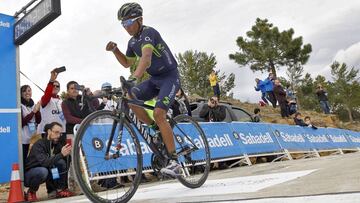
{"type": "Point", "coordinates": [233, 113]}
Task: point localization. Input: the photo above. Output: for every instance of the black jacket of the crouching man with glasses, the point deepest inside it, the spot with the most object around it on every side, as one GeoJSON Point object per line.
{"type": "Point", "coordinates": [40, 154]}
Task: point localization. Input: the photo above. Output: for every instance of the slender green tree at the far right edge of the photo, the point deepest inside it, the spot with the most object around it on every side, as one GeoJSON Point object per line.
{"type": "Point", "coordinates": [347, 87]}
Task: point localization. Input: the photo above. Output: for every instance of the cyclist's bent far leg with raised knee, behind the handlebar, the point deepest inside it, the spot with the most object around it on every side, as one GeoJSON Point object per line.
{"type": "Point", "coordinates": [144, 91]}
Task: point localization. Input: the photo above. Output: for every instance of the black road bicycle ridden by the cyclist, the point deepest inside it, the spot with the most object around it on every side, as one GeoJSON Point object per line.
{"type": "Point", "coordinates": [106, 146]}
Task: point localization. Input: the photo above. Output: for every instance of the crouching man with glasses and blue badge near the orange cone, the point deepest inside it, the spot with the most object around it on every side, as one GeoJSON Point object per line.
{"type": "Point", "coordinates": [45, 164]}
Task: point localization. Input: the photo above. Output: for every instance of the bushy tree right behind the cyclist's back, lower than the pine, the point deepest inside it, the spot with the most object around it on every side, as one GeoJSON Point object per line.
{"type": "Point", "coordinates": [195, 67]}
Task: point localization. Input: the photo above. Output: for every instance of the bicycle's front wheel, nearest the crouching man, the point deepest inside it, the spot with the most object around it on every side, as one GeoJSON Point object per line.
{"type": "Point", "coordinates": [97, 176]}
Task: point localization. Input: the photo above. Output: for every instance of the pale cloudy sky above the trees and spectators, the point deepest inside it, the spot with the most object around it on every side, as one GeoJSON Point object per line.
{"type": "Point", "coordinates": [78, 37]}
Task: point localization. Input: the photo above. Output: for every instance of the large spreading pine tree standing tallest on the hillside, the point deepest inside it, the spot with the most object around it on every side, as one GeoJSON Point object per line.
{"type": "Point", "coordinates": [267, 49]}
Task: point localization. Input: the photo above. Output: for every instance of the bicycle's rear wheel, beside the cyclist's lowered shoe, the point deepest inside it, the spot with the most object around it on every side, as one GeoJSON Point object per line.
{"type": "Point", "coordinates": [193, 151]}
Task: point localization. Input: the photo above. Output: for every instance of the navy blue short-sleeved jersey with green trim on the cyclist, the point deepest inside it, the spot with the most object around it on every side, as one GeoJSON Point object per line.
{"type": "Point", "coordinates": [162, 60]}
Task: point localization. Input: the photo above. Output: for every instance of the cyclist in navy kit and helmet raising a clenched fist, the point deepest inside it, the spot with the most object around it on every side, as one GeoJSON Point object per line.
{"type": "Point", "coordinates": [155, 58]}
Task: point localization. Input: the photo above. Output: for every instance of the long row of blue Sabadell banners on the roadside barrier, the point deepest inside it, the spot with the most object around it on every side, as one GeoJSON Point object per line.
{"type": "Point", "coordinates": [232, 140]}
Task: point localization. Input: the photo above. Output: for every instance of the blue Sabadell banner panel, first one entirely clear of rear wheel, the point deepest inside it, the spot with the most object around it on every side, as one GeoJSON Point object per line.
{"type": "Point", "coordinates": [255, 138]}
